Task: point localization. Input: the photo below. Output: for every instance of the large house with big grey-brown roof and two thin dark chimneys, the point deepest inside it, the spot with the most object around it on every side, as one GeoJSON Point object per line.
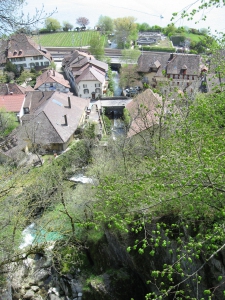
{"type": "Point", "coordinates": [51, 118]}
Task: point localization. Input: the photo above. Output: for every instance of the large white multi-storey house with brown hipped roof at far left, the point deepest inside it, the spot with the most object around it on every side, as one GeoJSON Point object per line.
{"type": "Point", "coordinates": [23, 52]}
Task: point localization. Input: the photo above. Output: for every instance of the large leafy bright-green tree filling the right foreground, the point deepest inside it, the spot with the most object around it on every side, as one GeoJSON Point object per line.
{"type": "Point", "coordinates": [169, 196]}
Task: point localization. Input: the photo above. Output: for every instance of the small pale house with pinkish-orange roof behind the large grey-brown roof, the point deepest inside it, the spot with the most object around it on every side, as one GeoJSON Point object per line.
{"type": "Point", "coordinates": [51, 80]}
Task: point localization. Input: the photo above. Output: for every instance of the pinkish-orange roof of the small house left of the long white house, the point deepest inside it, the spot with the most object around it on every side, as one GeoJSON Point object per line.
{"type": "Point", "coordinates": [51, 76]}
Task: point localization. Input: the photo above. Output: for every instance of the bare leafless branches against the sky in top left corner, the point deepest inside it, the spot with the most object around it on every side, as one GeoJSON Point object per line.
{"type": "Point", "coordinates": [12, 17]}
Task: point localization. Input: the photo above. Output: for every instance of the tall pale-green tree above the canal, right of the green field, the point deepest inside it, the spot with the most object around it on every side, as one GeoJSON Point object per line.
{"type": "Point", "coordinates": [125, 30]}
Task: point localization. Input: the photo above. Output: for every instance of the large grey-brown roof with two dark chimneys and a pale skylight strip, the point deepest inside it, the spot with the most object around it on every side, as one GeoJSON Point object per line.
{"type": "Point", "coordinates": [49, 117]}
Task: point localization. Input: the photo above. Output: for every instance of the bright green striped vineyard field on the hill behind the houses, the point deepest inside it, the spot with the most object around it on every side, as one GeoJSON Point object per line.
{"type": "Point", "coordinates": [67, 39]}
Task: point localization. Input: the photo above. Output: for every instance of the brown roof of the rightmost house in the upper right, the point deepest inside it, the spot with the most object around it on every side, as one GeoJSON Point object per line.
{"type": "Point", "coordinates": [188, 62]}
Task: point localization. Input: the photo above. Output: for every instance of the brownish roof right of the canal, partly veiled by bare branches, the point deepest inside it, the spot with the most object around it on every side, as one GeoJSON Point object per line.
{"type": "Point", "coordinates": [144, 110]}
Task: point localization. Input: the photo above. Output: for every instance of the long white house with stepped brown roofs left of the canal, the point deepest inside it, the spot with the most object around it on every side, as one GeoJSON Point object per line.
{"type": "Point", "coordinates": [87, 76]}
